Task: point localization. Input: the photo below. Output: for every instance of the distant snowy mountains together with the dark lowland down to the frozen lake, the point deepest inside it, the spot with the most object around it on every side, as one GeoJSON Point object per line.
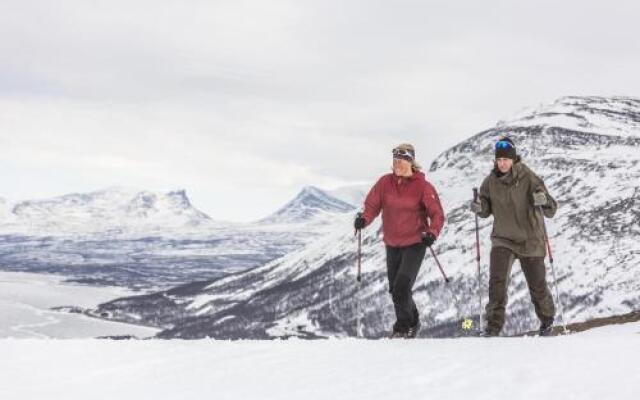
{"type": "Point", "coordinates": [143, 239]}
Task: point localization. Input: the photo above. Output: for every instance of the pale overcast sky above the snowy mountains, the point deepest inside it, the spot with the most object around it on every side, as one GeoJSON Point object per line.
{"type": "Point", "coordinates": [242, 103]}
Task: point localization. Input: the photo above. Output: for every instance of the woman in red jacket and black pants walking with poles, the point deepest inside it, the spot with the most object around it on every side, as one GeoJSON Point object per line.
{"type": "Point", "coordinates": [412, 218]}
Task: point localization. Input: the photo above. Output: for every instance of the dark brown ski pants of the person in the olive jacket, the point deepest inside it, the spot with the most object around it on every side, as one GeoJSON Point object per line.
{"type": "Point", "coordinates": [534, 271]}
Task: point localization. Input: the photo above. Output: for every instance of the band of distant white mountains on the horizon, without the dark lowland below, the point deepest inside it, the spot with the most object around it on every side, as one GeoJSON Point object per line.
{"type": "Point", "coordinates": [129, 212]}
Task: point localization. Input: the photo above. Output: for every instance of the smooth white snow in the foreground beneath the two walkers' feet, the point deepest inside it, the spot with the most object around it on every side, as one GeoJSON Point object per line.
{"type": "Point", "coordinates": [599, 364]}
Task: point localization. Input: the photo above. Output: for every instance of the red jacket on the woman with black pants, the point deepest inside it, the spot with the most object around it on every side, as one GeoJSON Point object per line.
{"type": "Point", "coordinates": [409, 207]}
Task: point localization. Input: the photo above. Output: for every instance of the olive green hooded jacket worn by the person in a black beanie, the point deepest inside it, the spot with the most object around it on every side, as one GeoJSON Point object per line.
{"type": "Point", "coordinates": [517, 224]}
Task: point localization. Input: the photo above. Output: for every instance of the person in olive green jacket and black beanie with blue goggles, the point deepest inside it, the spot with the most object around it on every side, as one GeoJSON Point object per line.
{"type": "Point", "coordinates": [513, 194]}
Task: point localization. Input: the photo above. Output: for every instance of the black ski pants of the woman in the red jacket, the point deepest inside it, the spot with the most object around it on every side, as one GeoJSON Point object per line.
{"type": "Point", "coordinates": [403, 264]}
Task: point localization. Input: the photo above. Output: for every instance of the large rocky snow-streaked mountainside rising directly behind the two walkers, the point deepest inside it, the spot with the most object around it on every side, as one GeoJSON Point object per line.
{"type": "Point", "coordinates": [593, 174]}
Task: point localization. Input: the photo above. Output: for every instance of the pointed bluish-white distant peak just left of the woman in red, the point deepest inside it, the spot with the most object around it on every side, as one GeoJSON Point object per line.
{"type": "Point", "coordinates": [311, 203]}
